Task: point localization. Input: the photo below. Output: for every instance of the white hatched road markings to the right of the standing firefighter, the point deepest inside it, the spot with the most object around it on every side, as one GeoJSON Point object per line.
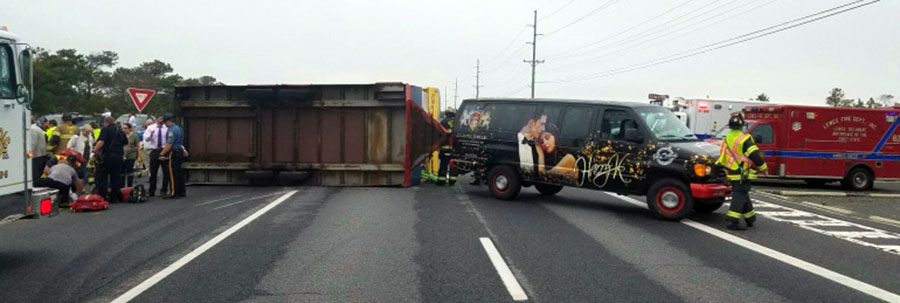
{"type": "Point", "coordinates": [858, 235]}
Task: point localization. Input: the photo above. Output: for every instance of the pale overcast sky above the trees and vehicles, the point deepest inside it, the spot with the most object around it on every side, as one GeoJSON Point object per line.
{"type": "Point", "coordinates": [432, 43]}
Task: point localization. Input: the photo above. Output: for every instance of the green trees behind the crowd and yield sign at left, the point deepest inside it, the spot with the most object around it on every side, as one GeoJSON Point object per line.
{"type": "Point", "coordinates": [68, 81]}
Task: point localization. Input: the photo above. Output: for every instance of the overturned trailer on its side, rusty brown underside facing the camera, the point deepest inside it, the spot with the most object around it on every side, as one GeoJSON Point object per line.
{"type": "Point", "coordinates": [340, 135]}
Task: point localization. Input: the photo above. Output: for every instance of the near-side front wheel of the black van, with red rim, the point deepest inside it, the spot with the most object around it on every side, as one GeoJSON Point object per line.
{"type": "Point", "coordinates": [670, 199]}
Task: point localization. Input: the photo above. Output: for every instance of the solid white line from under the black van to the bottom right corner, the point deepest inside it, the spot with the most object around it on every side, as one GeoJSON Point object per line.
{"type": "Point", "coordinates": [774, 254]}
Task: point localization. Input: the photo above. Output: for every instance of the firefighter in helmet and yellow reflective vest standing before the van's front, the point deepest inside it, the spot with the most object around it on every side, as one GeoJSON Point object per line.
{"type": "Point", "coordinates": [742, 161]}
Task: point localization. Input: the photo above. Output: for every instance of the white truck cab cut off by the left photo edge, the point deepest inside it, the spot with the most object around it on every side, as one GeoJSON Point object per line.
{"type": "Point", "coordinates": [15, 110]}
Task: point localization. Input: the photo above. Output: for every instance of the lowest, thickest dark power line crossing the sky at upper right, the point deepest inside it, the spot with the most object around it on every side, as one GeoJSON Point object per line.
{"type": "Point", "coordinates": [718, 45]}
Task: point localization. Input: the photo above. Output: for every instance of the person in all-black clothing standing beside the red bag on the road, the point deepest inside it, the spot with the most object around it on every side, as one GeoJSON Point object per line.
{"type": "Point", "coordinates": [110, 149]}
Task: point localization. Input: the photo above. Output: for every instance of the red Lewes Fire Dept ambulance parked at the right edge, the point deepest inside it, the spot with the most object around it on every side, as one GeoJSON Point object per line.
{"type": "Point", "coordinates": [823, 144]}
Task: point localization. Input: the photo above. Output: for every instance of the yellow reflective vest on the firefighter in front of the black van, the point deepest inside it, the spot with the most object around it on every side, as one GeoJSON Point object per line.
{"type": "Point", "coordinates": [736, 161]}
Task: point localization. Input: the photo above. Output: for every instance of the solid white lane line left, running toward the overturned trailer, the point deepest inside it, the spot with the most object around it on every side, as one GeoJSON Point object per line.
{"type": "Point", "coordinates": [140, 288]}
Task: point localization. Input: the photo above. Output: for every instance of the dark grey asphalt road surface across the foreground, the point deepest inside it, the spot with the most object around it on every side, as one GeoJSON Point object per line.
{"type": "Point", "coordinates": [424, 244]}
